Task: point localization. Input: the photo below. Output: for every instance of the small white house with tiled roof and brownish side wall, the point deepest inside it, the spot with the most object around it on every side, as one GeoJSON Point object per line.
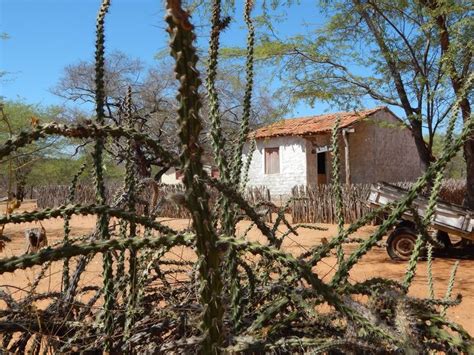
{"type": "Point", "coordinates": [374, 146]}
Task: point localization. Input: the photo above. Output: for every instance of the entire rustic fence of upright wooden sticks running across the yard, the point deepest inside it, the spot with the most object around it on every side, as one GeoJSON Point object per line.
{"type": "Point", "coordinates": [313, 204]}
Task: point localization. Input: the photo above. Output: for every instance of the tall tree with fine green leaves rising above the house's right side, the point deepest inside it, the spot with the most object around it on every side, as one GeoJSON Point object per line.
{"type": "Point", "coordinates": [412, 55]}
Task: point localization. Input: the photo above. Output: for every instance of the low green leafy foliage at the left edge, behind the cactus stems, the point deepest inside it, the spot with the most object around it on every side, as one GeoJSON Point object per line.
{"type": "Point", "coordinates": [51, 160]}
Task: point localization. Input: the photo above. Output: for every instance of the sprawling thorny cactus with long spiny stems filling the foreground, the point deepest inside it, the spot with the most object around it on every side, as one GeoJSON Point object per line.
{"type": "Point", "coordinates": [235, 295]}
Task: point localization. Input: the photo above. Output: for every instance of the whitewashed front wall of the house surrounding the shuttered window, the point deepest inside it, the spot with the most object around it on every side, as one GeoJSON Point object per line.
{"type": "Point", "coordinates": [292, 165]}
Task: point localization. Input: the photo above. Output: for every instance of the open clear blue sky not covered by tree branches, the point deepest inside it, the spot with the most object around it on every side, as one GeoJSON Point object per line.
{"type": "Point", "coordinates": [47, 35]}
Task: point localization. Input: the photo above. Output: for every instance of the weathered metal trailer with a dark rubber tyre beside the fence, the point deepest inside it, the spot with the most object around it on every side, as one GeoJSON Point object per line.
{"type": "Point", "coordinates": [448, 220]}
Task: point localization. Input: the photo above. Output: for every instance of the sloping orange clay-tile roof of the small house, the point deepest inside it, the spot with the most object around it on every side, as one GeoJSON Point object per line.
{"type": "Point", "coordinates": [313, 124]}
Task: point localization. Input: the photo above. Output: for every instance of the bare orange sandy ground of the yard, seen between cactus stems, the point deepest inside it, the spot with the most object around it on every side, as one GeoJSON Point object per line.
{"type": "Point", "coordinates": [375, 264]}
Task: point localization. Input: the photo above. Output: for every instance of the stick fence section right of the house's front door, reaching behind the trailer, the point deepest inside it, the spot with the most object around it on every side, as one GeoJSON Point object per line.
{"type": "Point", "coordinates": [316, 204]}
